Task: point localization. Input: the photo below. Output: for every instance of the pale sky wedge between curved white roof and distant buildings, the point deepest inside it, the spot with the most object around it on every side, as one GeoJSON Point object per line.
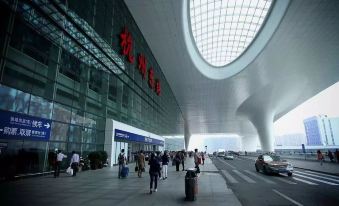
{"type": "Point", "coordinates": [325, 102]}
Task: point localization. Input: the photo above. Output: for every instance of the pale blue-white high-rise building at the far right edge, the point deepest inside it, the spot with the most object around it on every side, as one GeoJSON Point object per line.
{"type": "Point", "coordinates": [322, 130]}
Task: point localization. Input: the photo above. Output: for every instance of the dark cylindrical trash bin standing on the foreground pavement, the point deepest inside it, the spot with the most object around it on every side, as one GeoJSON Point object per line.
{"type": "Point", "coordinates": [191, 184]}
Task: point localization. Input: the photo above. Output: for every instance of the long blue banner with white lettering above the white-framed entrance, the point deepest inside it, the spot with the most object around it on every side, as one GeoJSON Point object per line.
{"type": "Point", "coordinates": [127, 136]}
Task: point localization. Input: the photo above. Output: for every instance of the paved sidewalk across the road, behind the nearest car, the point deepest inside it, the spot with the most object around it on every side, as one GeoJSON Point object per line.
{"type": "Point", "coordinates": [327, 167]}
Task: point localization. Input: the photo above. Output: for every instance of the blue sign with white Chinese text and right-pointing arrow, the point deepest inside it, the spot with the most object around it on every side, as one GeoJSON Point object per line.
{"type": "Point", "coordinates": [20, 126]}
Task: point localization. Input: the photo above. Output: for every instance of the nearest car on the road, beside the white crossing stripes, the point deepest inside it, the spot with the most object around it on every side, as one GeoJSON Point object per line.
{"type": "Point", "coordinates": [270, 163]}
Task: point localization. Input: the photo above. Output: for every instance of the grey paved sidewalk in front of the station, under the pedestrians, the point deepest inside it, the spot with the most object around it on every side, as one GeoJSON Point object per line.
{"type": "Point", "coordinates": [102, 187]}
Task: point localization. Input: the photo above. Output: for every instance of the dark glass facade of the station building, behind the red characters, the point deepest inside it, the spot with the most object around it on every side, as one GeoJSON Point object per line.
{"type": "Point", "coordinates": [61, 60]}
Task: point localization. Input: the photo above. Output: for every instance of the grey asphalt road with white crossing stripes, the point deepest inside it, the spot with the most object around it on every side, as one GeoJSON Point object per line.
{"type": "Point", "coordinates": [253, 188]}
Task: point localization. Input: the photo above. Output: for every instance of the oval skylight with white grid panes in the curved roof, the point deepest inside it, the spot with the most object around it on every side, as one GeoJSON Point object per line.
{"type": "Point", "coordinates": [223, 29]}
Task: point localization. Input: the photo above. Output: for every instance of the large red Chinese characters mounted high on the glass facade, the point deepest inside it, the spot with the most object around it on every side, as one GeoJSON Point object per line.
{"type": "Point", "coordinates": [126, 44]}
